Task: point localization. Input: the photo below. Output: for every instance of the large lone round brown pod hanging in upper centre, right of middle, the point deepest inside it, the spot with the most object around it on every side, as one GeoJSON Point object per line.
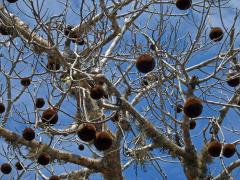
{"type": "Point", "coordinates": [145, 63]}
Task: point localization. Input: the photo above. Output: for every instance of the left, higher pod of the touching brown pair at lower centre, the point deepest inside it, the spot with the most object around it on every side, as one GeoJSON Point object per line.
{"type": "Point", "coordinates": [87, 133]}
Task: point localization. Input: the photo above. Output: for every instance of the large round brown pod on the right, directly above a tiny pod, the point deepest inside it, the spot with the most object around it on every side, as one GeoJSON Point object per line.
{"type": "Point", "coordinates": [193, 107]}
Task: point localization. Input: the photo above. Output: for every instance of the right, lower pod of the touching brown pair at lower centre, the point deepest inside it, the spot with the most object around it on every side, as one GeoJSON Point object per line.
{"type": "Point", "coordinates": [103, 141]}
